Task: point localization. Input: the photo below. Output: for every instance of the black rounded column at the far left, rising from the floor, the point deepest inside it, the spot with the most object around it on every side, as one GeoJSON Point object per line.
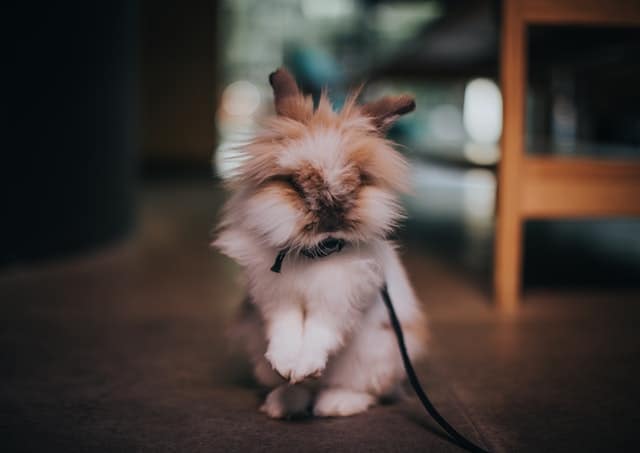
{"type": "Point", "coordinates": [70, 152]}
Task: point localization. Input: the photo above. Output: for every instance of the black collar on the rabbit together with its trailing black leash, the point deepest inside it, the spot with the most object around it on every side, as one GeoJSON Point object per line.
{"type": "Point", "coordinates": [331, 245]}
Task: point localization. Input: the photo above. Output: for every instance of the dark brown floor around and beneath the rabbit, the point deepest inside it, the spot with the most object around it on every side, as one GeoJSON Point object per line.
{"type": "Point", "coordinates": [124, 350]}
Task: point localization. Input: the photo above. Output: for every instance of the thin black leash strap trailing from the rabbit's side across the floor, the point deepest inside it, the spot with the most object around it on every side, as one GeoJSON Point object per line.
{"type": "Point", "coordinates": [415, 383]}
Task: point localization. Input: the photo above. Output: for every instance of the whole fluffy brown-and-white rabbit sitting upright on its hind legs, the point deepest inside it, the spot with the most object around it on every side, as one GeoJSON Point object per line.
{"type": "Point", "coordinates": [313, 182]}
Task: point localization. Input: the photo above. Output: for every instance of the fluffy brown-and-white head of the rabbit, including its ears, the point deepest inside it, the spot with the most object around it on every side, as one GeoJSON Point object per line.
{"type": "Point", "coordinates": [314, 173]}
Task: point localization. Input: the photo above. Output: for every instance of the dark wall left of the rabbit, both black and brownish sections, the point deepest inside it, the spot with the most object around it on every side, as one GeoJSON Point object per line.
{"type": "Point", "coordinates": [94, 89]}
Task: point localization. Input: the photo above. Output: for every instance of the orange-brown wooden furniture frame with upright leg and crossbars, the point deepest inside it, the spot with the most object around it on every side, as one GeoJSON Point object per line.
{"type": "Point", "coordinates": [550, 187]}
